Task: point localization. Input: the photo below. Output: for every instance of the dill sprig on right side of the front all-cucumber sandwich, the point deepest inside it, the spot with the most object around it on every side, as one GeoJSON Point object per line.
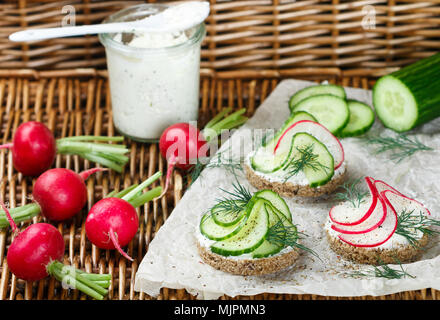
{"type": "Point", "coordinates": [287, 236]}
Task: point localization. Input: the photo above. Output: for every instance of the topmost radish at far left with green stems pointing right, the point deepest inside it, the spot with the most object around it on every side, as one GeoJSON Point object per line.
{"type": "Point", "coordinates": [34, 149]}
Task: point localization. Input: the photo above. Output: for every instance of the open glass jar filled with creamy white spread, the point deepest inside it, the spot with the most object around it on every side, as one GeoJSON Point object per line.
{"type": "Point", "coordinates": [154, 78]}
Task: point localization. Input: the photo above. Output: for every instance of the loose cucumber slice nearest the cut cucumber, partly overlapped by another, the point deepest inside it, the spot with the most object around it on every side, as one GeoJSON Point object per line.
{"type": "Point", "coordinates": [361, 119]}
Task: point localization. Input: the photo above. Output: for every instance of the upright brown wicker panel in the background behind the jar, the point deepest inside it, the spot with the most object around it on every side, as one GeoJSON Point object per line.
{"type": "Point", "coordinates": [280, 35]}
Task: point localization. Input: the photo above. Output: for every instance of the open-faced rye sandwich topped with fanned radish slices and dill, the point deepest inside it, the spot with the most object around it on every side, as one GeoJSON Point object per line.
{"type": "Point", "coordinates": [384, 227]}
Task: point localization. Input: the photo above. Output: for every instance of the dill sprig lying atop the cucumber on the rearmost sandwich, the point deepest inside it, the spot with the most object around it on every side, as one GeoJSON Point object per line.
{"type": "Point", "coordinates": [305, 158]}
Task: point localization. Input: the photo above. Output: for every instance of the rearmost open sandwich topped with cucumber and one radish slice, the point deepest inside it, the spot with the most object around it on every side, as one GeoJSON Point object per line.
{"type": "Point", "coordinates": [302, 159]}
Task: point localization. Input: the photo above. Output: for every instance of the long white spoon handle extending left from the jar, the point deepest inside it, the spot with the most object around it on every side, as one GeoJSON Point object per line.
{"type": "Point", "coordinates": [50, 33]}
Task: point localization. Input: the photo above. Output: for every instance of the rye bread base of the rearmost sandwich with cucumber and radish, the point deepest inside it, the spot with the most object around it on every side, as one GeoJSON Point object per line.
{"type": "Point", "coordinates": [288, 189]}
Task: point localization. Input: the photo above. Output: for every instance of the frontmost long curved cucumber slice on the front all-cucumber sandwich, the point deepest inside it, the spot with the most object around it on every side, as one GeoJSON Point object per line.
{"type": "Point", "coordinates": [250, 237]}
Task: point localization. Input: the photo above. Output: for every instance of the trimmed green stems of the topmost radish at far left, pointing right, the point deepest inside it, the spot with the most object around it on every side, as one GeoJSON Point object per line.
{"type": "Point", "coordinates": [109, 155]}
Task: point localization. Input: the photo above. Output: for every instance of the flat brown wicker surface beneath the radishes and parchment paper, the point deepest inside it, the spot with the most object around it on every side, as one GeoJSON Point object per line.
{"type": "Point", "coordinates": [79, 104]}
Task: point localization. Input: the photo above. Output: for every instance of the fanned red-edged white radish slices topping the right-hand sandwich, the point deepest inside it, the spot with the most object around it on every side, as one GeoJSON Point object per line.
{"type": "Point", "coordinates": [376, 224]}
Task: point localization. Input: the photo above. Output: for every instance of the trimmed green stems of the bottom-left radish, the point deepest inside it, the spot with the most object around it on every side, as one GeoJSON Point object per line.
{"type": "Point", "coordinates": [79, 280]}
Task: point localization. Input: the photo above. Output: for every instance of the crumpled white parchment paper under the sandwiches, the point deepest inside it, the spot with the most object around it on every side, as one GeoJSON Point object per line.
{"type": "Point", "coordinates": [172, 260]}
